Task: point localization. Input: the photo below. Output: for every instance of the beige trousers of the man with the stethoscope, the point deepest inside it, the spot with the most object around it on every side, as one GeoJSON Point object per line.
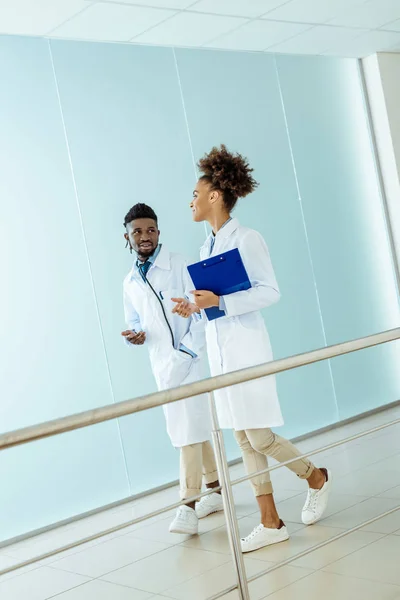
{"type": "Point", "coordinates": [197, 461]}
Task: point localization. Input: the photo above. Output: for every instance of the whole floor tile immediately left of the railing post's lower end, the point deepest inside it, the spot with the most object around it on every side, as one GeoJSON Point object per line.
{"type": "Point", "coordinates": [167, 569]}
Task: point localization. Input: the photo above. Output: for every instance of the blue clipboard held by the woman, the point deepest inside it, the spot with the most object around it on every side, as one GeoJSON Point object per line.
{"type": "Point", "coordinates": [222, 274]}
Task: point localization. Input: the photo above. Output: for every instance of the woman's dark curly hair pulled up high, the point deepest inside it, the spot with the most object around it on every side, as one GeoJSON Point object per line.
{"type": "Point", "coordinates": [229, 173]}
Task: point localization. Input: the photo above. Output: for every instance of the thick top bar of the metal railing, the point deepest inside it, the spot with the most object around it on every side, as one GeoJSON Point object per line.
{"type": "Point", "coordinates": [128, 407]}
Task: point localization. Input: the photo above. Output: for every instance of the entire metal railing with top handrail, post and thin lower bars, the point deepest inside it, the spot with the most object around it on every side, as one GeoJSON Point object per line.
{"type": "Point", "coordinates": [91, 417]}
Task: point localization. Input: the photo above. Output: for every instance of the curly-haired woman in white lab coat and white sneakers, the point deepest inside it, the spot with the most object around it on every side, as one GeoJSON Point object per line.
{"type": "Point", "coordinates": [240, 339]}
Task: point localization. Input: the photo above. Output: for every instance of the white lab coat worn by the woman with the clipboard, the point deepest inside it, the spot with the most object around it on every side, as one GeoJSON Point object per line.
{"type": "Point", "coordinates": [240, 339]}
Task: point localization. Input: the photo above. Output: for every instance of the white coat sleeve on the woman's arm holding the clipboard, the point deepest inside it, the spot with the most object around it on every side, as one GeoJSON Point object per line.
{"type": "Point", "coordinates": [264, 291]}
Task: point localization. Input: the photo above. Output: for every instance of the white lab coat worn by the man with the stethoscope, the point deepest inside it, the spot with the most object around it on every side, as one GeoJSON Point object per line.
{"type": "Point", "coordinates": [188, 420]}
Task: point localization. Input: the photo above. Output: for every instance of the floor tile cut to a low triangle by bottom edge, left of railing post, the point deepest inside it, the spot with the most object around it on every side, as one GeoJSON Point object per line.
{"type": "Point", "coordinates": [103, 590]}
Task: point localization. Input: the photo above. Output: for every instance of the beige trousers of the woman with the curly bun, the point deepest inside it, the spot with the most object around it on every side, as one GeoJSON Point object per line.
{"type": "Point", "coordinates": [257, 444]}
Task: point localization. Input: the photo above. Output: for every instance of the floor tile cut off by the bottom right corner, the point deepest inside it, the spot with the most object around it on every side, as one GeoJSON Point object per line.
{"type": "Point", "coordinates": [330, 586]}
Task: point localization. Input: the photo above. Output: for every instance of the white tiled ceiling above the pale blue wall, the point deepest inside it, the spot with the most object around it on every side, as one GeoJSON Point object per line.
{"type": "Point", "coordinates": [353, 28]}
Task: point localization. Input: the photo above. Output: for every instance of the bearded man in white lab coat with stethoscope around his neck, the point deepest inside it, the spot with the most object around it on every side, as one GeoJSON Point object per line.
{"type": "Point", "coordinates": [175, 347]}
